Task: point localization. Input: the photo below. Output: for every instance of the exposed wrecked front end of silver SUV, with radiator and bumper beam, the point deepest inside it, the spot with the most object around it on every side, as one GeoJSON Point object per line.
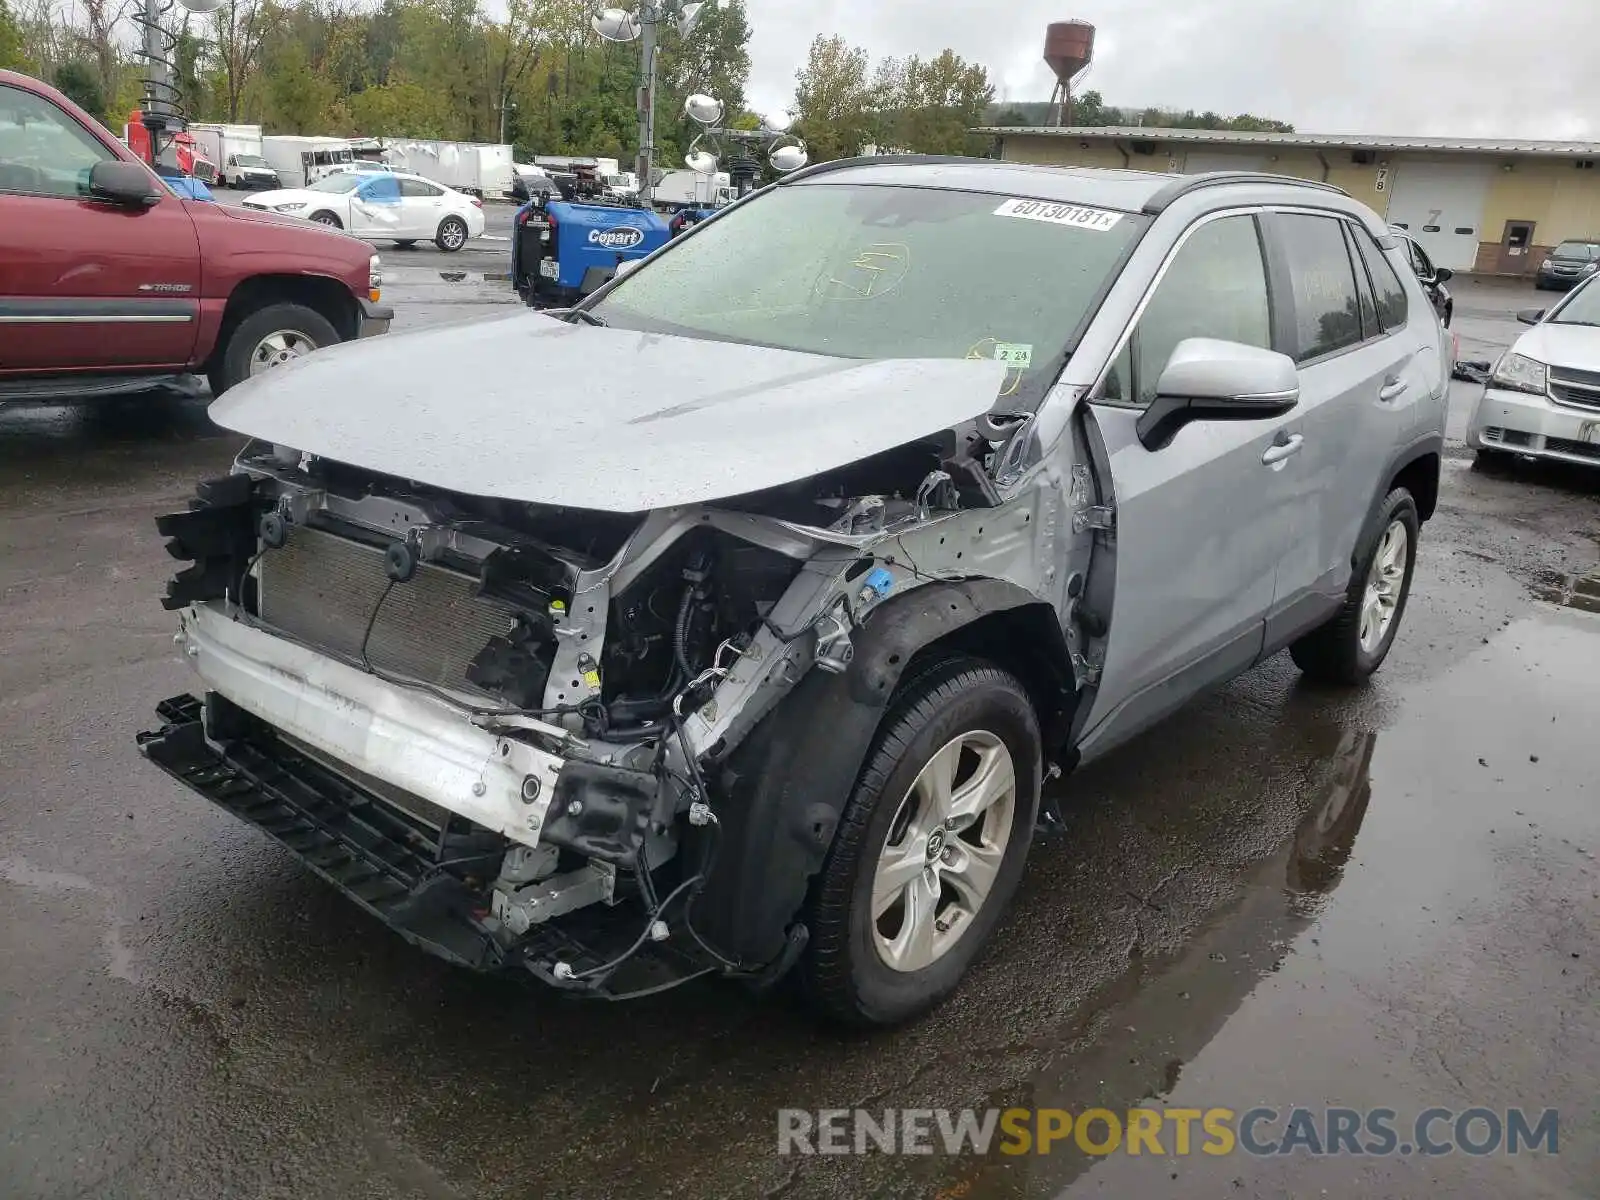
{"type": "Point", "coordinates": [508, 729]}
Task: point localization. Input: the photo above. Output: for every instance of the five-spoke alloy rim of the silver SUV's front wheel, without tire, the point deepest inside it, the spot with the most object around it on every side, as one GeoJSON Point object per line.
{"type": "Point", "coordinates": [943, 850]}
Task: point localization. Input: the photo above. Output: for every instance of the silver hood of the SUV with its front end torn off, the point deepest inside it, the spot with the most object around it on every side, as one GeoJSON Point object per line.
{"type": "Point", "coordinates": [532, 409]}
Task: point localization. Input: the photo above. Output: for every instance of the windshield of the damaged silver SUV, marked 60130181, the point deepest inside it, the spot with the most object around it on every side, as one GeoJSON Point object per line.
{"type": "Point", "coordinates": [887, 273]}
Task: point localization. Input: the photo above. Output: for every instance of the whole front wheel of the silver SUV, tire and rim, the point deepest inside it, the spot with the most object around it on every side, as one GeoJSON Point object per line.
{"type": "Point", "coordinates": [930, 847]}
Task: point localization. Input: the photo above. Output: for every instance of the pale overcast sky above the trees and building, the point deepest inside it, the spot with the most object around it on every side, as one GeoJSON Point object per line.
{"type": "Point", "coordinates": [1466, 68]}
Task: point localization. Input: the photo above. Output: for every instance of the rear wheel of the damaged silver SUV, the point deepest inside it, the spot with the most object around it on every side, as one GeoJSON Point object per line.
{"type": "Point", "coordinates": [1356, 641]}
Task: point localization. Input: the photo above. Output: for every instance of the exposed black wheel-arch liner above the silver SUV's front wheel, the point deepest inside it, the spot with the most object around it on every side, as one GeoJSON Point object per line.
{"type": "Point", "coordinates": [786, 785]}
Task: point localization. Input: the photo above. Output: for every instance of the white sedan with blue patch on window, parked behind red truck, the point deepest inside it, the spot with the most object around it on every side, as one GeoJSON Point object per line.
{"type": "Point", "coordinates": [383, 207]}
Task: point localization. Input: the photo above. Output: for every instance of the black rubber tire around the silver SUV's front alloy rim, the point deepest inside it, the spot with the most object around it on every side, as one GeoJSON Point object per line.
{"type": "Point", "coordinates": [842, 972]}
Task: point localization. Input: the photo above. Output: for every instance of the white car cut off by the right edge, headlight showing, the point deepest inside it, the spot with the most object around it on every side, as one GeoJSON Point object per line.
{"type": "Point", "coordinates": [1543, 398]}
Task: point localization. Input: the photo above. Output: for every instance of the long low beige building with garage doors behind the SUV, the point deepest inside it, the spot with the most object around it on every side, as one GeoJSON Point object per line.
{"type": "Point", "coordinates": [1487, 206]}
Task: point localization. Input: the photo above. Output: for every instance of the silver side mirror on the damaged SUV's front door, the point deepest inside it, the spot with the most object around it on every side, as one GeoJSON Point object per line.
{"type": "Point", "coordinates": [1210, 380]}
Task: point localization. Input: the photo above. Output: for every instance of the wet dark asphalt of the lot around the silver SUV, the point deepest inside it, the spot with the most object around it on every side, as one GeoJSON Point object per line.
{"type": "Point", "coordinates": [1386, 898]}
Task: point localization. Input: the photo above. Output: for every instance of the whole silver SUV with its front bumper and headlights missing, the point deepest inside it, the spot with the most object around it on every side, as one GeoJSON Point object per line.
{"type": "Point", "coordinates": [745, 641]}
